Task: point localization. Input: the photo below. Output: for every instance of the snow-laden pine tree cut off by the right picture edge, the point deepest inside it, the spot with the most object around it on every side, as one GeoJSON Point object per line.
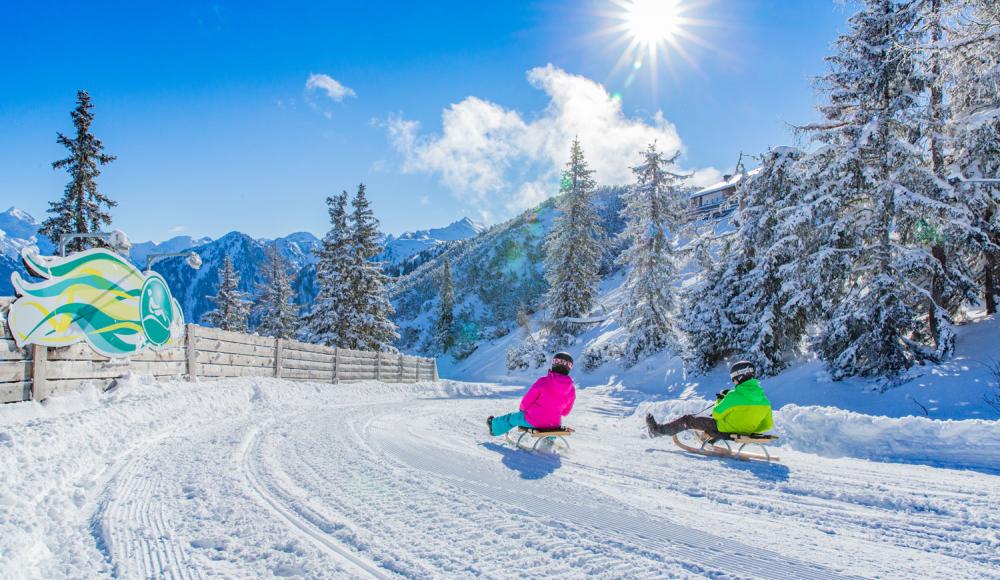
{"type": "Point", "coordinates": [974, 131]}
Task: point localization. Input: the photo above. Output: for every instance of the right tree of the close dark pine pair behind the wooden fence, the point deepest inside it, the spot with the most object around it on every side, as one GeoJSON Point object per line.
{"type": "Point", "coordinates": [368, 324]}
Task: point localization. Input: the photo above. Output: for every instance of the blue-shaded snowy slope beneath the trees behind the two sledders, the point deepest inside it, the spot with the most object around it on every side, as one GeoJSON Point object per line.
{"type": "Point", "coordinates": [954, 389]}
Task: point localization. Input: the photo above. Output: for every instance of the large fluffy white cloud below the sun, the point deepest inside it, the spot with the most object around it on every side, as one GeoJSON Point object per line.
{"type": "Point", "coordinates": [494, 159]}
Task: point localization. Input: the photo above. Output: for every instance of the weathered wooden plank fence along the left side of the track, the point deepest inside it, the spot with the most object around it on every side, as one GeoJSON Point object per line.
{"type": "Point", "coordinates": [39, 372]}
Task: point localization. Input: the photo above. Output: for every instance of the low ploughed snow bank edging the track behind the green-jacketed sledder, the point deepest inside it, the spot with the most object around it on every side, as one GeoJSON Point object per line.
{"type": "Point", "coordinates": [833, 432]}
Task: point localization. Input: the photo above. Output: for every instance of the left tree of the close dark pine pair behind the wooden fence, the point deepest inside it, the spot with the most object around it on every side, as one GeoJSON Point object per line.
{"type": "Point", "coordinates": [326, 320]}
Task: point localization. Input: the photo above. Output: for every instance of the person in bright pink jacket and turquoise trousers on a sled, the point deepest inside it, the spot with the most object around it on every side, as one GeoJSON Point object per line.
{"type": "Point", "coordinates": [545, 404]}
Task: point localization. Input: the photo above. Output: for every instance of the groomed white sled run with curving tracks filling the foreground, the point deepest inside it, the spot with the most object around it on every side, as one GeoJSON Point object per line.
{"type": "Point", "coordinates": [252, 478]}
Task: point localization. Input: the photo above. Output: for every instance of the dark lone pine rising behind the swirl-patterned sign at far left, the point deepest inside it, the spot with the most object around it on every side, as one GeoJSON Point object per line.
{"type": "Point", "coordinates": [82, 209]}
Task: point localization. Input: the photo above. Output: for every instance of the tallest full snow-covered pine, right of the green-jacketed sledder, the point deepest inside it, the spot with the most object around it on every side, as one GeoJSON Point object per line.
{"type": "Point", "coordinates": [873, 187]}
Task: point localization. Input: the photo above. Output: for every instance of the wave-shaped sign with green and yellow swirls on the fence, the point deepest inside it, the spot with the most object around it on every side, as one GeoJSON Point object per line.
{"type": "Point", "coordinates": [94, 296]}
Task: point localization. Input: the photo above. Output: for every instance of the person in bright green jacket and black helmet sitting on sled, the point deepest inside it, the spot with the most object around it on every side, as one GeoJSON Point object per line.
{"type": "Point", "coordinates": [743, 409]}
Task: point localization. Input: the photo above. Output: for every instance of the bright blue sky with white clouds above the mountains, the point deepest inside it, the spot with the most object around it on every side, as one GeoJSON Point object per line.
{"type": "Point", "coordinates": [448, 108]}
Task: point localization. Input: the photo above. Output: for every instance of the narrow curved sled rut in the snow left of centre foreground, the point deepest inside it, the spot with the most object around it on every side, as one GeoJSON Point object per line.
{"type": "Point", "coordinates": [307, 524]}
